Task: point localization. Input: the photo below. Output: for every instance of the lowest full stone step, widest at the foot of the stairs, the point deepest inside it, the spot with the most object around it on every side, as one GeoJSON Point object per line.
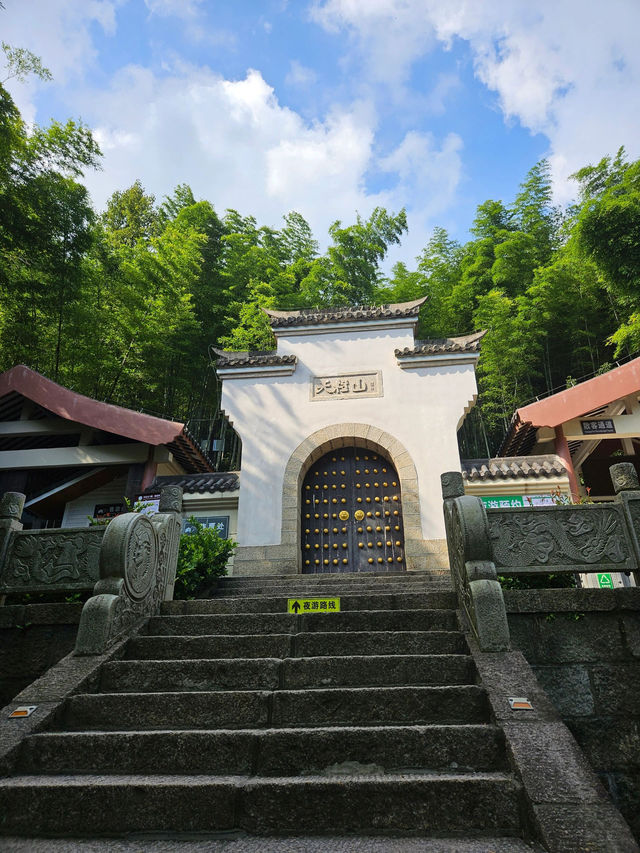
{"type": "Point", "coordinates": [435, 803]}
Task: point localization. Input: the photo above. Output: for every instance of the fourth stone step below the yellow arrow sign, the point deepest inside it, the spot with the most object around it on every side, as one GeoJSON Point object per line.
{"type": "Point", "coordinates": [235, 709]}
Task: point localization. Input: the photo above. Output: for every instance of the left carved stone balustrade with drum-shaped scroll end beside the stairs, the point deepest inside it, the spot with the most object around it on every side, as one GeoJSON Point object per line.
{"type": "Point", "coordinates": [130, 565]}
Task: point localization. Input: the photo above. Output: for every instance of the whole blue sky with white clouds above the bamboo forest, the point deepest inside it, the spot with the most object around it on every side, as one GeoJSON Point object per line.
{"type": "Point", "coordinates": [331, 107]}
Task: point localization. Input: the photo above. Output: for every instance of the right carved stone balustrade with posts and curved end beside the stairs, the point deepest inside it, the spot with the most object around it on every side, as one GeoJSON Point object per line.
{"type": "Point", "coordinates": [583, 538]}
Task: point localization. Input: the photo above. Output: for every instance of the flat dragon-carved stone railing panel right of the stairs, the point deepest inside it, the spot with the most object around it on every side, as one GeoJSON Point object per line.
{"type": "Point", "coordinates": [536, 540]}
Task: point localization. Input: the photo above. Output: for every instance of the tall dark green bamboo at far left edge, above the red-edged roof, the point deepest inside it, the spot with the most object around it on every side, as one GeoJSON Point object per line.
{"type": "Point", "coordinates": [45, 225]}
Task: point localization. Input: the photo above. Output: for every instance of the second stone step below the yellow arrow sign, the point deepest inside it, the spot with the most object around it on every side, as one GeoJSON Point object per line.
{"type": "Point", "coordinates": [297, 645]}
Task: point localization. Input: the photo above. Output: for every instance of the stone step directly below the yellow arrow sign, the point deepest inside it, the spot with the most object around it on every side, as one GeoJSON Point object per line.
{"type": "Point", "coordinates": [286, 623]}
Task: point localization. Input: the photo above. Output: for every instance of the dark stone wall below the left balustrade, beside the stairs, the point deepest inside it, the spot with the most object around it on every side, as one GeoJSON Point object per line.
{"type": "Point", "coordinates": [33, 637]}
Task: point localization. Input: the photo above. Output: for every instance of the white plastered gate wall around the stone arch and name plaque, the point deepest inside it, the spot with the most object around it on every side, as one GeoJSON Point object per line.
{"type": "Point", "coordinates": [421, 407]}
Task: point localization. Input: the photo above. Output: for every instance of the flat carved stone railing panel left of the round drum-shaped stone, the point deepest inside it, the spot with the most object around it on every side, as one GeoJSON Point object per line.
{"type": "Point", "coordinates": [51, 560]}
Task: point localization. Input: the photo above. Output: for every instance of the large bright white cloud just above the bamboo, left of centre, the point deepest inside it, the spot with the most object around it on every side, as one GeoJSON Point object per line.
{"type": "Point", "coordinates": [234, 143]}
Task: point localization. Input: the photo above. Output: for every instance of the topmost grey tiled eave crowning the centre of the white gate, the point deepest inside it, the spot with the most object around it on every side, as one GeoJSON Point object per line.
{"type": "Point", "coordinates": [314, 320]}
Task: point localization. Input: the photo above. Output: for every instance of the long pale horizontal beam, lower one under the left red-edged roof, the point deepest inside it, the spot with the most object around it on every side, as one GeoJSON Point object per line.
{"type": "Point", "coordinates": [65, 457]}
